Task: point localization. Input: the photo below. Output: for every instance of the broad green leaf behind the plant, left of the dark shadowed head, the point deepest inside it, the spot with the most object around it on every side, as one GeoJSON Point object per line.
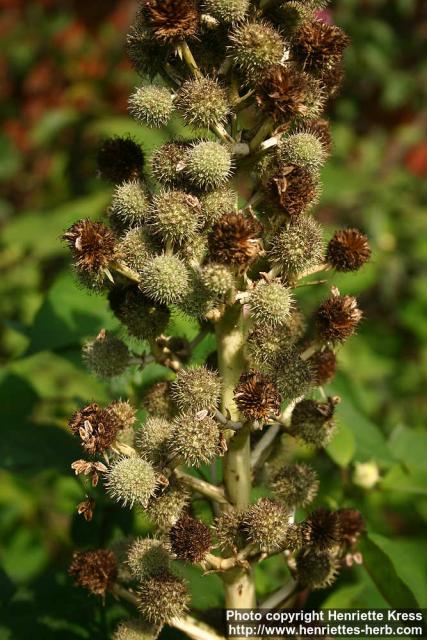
{"type": "Point", "coordinates": [67, 315]}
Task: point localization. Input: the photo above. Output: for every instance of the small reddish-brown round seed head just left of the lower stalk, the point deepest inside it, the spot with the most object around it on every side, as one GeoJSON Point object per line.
{"type": "Point", "coordinates": [190, 539]}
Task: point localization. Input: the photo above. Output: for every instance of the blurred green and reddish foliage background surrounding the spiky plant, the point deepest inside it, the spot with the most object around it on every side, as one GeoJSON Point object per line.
{"type": "Point", "coordinates": [65, 86]}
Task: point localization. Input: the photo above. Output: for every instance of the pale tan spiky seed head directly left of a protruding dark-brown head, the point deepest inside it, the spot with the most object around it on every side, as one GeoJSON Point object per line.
{"type": "Point", "coordinates": [297, 247]}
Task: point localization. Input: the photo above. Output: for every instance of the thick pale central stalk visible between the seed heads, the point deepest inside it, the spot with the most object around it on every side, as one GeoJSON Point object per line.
{"type": "Point", "coordinates": [230, 330]}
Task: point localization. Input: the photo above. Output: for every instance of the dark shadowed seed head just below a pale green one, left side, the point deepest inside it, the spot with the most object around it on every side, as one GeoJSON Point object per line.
{"type": "Point", "coordinates": [142, 318]}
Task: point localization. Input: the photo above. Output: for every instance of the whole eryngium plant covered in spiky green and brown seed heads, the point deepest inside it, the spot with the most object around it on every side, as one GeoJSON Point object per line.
{"type": "Point", "coordinates": [218, 226]}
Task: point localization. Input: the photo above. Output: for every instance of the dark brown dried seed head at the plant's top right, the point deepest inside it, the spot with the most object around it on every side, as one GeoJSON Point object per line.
{"type": "Point", "coordinates": [319, 45]}
